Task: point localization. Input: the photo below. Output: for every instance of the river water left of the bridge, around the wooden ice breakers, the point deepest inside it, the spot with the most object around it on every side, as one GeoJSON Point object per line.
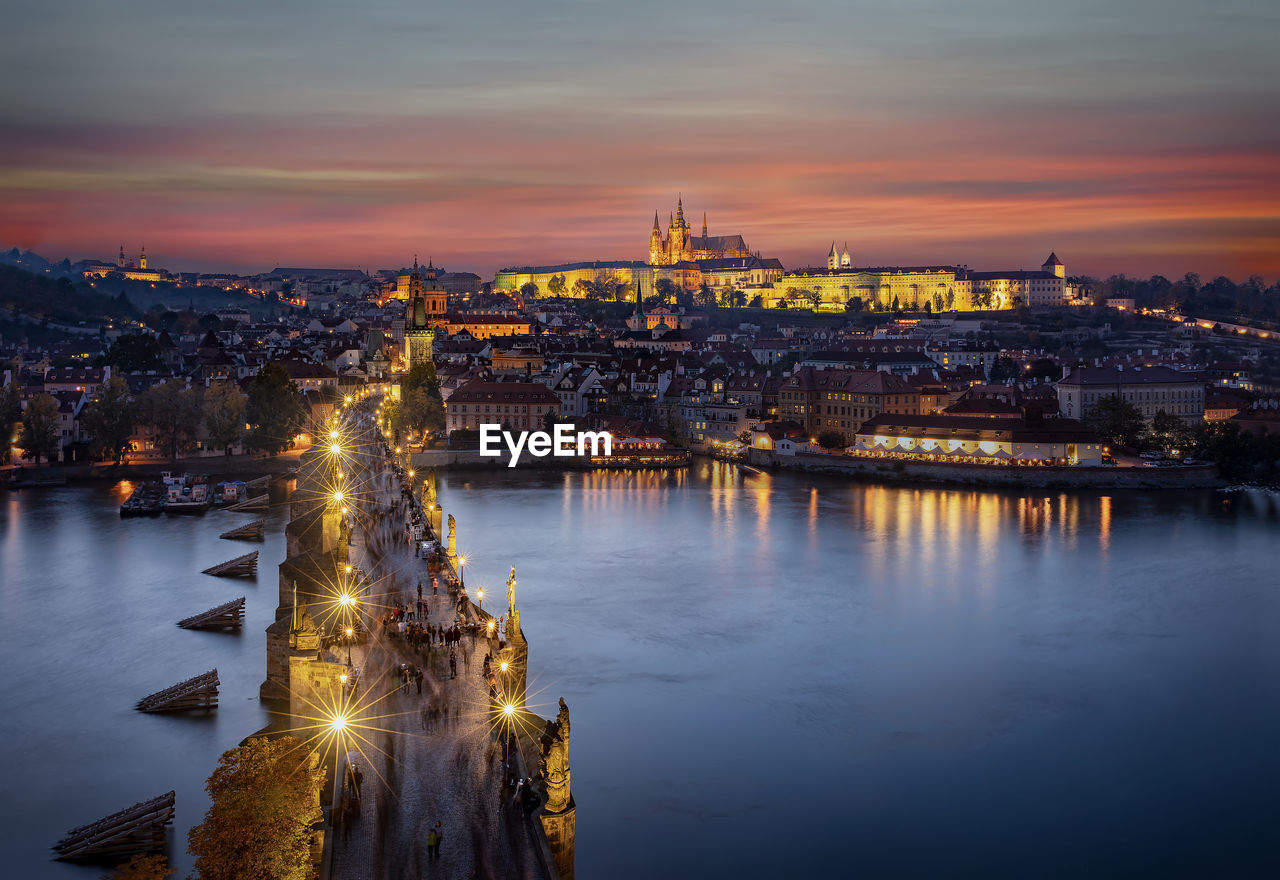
{"type": "Point", "coordinates": [89, 604]}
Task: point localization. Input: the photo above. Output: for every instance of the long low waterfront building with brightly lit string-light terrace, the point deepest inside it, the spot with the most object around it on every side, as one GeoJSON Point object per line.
{"type": "Point", "coordinates": [1017, 441]}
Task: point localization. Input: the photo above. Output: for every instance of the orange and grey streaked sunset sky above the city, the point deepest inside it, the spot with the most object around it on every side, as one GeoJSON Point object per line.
{"type": "Point", "coordinates": [1131, 137]}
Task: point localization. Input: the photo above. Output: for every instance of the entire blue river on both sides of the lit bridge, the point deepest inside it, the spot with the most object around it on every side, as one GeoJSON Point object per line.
{"type": "Point", "coordinates": [769, 676]}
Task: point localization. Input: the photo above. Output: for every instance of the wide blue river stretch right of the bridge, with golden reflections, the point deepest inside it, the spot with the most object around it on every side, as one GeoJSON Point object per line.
{"type": "Point", "coordinates": [779, 676]}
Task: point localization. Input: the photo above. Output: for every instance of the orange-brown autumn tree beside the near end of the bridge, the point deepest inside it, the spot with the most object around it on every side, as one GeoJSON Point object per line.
{"type": "Point", "coordinates": [264, 800]}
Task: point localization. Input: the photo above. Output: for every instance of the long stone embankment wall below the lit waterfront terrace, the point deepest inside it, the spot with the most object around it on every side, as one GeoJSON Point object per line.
{"type": "Point", "coordinates": [980, 475]}
